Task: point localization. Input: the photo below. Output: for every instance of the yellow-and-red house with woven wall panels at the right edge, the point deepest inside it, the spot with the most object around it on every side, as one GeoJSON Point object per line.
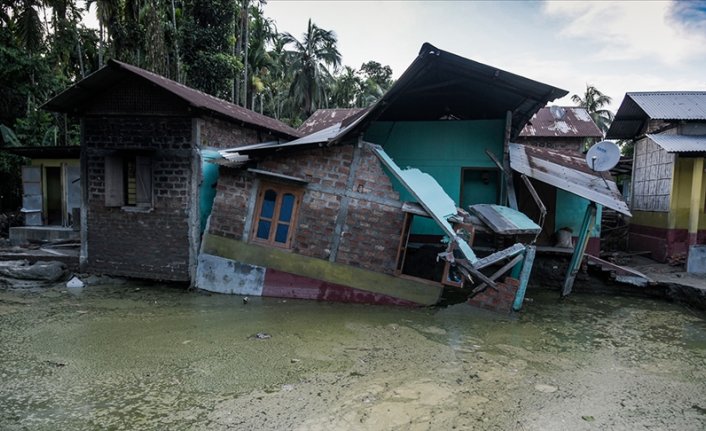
{"type": "Point", "coordinates": [668, 131]}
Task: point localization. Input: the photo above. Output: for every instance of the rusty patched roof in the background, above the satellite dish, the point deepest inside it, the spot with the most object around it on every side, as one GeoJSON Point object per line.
{"type": "Point", "coordinates": [561, 122]}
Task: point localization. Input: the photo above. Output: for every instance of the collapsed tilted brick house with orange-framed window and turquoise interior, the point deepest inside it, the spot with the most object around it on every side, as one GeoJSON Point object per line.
{"type": "Point", "coordinates": [327, 217]}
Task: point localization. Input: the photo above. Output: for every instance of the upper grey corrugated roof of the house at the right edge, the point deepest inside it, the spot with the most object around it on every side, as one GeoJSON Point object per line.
{"type": "Point", "coordinates": [638, 107]}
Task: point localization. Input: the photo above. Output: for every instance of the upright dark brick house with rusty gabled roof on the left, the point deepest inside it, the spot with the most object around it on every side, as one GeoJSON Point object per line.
{"type": "Point", "coordinates": [146, 191]}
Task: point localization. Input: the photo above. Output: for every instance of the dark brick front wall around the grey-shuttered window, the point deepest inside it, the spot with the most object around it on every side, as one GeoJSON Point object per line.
{"type": "Point", "coordinates": [152, 244]}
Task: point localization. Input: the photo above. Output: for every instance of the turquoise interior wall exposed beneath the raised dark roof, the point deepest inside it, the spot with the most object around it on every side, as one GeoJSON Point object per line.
{"type": "Point", "coordinates": [441, 149]}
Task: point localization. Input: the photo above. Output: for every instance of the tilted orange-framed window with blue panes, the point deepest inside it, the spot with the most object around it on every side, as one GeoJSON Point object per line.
{"type": "Point", "coordinates": [276, 214]}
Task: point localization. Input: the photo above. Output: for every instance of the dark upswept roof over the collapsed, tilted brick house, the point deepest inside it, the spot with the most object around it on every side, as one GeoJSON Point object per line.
{"type": "Point", "coordinates": [441, 85]}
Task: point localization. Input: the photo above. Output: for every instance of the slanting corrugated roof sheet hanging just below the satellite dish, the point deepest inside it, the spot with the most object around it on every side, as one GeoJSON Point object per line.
{"type": "Point", "coordinates": [568, 173]}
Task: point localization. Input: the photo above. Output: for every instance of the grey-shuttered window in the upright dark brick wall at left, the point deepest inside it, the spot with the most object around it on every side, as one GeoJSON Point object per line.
{"type": "Point", "coordinates": [128, 181]}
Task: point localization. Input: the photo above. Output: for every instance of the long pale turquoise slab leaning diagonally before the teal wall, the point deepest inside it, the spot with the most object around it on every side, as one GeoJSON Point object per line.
{"type": "Point", "coordinates": [430, 196]}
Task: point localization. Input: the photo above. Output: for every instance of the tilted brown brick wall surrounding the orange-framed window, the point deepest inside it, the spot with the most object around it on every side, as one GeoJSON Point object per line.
{"type": "Point", "coordinates": [373, 223]}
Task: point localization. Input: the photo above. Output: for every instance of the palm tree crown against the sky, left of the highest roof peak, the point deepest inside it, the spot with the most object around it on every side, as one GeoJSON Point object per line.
{"type": "Point", "coordinates": [311, 59]}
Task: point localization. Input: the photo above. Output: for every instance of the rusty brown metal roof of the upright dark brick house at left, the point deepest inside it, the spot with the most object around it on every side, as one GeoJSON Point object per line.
{"type": "Point", "coordinates": [73, 99]}
